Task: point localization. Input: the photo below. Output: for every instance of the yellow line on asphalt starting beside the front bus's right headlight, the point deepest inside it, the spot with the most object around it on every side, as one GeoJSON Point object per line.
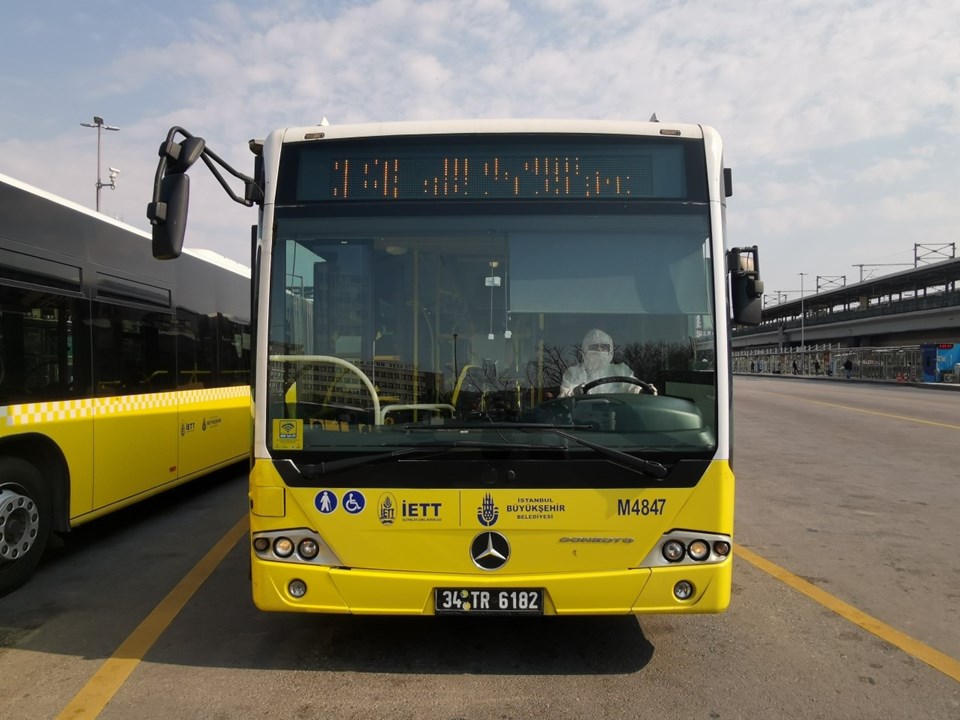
{"type": "Point", "coordinates": [934, 658]}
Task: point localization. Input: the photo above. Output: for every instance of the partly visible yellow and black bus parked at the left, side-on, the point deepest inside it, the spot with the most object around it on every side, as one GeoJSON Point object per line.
{"type": "Point", "coordinates": [119, 376]}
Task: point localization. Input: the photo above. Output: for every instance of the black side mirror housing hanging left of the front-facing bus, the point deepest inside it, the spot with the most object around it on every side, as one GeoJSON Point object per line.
{"type": "Point", "coordinates": [171, 194]}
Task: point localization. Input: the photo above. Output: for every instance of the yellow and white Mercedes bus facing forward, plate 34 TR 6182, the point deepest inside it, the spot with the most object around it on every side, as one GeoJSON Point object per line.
{"type": "Point", "coordinates": [435, 302]}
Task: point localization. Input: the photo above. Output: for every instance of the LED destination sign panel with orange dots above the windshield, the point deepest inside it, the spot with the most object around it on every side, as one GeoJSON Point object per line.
{"type": "Point", "coordinates": [509, 168]}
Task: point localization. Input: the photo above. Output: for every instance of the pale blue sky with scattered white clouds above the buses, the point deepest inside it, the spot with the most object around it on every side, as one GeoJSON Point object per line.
{"type": "Point", "coordinates": [840, 119]}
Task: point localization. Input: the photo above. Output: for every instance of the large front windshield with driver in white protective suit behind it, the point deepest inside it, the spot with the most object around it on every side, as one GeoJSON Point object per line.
{"type": "Point", "coordinates": [400, 329]}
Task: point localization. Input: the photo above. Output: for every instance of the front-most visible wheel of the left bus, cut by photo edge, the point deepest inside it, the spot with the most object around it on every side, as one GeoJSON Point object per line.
{"type": "Point", "coordinates": [24, 521]}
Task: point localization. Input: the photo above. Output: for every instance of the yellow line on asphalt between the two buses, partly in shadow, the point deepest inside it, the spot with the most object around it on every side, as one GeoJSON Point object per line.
{"type": "Point", "coordinates": [109, 678]}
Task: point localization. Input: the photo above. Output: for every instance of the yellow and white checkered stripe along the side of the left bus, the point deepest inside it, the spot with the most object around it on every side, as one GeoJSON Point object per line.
{"type": "Point", "coordinates": [35, 413]}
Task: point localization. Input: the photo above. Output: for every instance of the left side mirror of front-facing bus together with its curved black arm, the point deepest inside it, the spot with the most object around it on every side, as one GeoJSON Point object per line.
{"type": "Point", "coordinates": [167, 211]}
